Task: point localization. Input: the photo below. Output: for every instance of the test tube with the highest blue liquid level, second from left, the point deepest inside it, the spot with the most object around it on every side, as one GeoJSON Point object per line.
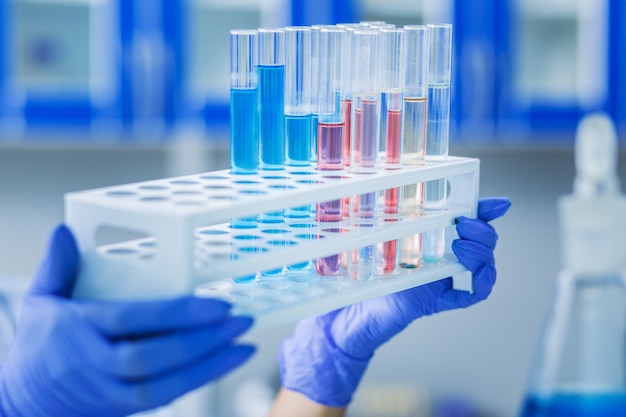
{"type": "Point", "coordinates": [271, 73]}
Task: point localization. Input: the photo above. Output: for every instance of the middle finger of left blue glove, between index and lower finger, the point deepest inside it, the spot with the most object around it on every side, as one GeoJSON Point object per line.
{"type": "Point", "coordinates": [148, 357]}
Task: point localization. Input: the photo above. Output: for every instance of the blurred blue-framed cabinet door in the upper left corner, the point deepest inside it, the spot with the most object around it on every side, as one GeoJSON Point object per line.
{"type": "Point", "coordinates": [59, 65]}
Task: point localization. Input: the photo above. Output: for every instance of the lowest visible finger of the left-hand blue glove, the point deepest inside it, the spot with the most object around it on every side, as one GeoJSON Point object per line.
{"type": "Point", "coordinates": [162, 390]}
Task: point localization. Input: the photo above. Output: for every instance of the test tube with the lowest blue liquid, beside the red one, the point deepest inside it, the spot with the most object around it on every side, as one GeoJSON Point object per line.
{"type": "Point", "coordinates": [298, 123]}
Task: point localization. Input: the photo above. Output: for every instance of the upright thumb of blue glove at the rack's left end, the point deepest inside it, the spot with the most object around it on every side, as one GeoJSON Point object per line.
{"type": "Point", "coordinates": [57, 272]}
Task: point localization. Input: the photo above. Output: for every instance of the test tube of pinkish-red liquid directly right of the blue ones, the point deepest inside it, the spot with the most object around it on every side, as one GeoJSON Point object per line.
{"type": "Point", "coordinates": [330, 131]}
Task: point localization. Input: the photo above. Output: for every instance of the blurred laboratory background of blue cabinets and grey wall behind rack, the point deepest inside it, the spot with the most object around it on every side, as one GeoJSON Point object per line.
{"type": "Point", "coordinates": [103, 92]}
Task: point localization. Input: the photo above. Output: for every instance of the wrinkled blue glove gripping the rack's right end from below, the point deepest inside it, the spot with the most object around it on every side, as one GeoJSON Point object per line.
{"type": "Point", "coordinates": [327, 355]}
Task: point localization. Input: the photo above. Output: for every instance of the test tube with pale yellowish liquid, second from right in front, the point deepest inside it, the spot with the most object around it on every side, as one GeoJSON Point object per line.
{"type": "Point", "coordinates": [414, 135]}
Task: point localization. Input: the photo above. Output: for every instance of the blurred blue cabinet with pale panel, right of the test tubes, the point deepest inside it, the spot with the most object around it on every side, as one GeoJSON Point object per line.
{"type": "Point", "coordinates": [530, 68]}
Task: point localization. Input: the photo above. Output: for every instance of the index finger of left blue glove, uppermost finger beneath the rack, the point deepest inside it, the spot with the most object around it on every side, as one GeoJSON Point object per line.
{"type": "Point", "coordinates": [123, 319]}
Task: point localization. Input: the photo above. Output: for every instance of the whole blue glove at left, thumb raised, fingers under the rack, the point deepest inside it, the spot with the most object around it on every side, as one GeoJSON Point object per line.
{"type": "Point", "coordinates": [101, 359]}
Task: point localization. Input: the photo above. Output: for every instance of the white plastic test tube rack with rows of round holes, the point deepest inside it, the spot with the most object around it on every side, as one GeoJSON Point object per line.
{"type": "Point", "coordinates": [182, 243]}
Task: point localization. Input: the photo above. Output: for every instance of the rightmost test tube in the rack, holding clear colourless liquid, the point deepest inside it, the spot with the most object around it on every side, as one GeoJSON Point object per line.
{"type": "Point", "coordinates": [437, 134]}
